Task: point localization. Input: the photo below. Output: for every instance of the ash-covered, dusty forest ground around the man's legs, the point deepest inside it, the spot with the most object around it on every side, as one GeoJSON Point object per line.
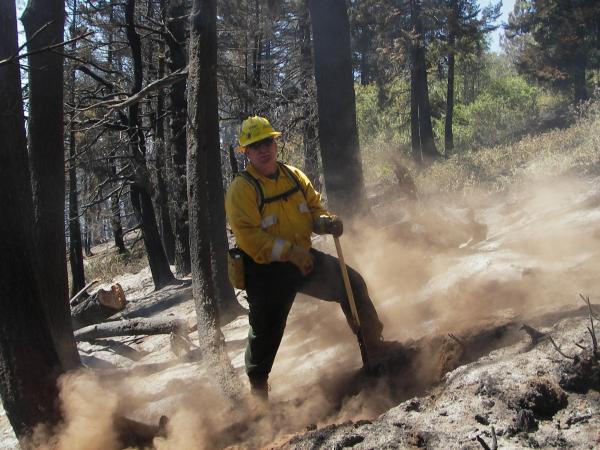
{"type": "Point", "coordinates": [454, 278]}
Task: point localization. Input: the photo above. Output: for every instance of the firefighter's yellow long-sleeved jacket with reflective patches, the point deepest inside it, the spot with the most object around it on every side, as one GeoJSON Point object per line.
{"type": "Point", "coordinates": [268, 237]}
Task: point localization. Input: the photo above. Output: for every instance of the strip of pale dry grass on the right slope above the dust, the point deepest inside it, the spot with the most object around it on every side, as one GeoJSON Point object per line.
{"type": "Point", "coordinates": [573, 150]}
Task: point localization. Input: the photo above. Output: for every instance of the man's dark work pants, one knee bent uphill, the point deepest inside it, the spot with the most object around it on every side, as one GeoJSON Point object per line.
{"type": "Point", "coordinates": [271, 290]}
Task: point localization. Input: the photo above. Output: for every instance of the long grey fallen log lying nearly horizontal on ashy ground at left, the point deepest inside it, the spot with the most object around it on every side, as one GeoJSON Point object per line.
{"type": "Point", "coordinates": [132, 327]}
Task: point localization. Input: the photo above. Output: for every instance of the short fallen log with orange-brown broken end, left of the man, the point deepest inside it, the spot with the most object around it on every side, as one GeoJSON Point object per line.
{"type": "Point", "coordinates": [98, 307]}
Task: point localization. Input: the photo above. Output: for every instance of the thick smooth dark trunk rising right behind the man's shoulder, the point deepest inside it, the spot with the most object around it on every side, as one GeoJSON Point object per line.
{"type": "Point", "coordinates": [338, 135]}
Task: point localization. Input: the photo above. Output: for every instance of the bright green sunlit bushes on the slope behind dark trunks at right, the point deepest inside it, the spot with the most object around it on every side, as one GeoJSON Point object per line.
{"type": "Point", "coordinates": [503, 107]}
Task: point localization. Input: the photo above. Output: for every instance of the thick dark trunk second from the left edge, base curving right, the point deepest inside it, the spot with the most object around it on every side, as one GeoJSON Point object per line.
{"type": "Point", "coordinates": [46, 157]}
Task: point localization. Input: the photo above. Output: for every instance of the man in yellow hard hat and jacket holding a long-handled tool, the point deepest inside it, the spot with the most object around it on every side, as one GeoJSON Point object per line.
{"type": "Point", "coordinates": [272, 209]}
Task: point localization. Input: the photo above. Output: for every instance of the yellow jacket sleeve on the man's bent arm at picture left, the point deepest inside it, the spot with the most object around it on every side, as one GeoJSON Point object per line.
{"type": "Point", "coordinates": [241, 206]}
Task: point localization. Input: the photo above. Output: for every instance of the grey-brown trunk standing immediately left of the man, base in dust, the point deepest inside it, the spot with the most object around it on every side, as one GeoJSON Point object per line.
{"type": "Point", "coordinates": [203, 137]}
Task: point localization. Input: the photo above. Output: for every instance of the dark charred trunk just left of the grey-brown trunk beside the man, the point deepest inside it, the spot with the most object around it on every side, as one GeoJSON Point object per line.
{"type": "Point", "coordinates": [177, 108]}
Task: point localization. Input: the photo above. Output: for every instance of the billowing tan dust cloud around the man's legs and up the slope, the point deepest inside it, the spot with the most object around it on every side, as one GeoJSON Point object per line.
{"type": "Point", "coordinates": [440, 265]}
